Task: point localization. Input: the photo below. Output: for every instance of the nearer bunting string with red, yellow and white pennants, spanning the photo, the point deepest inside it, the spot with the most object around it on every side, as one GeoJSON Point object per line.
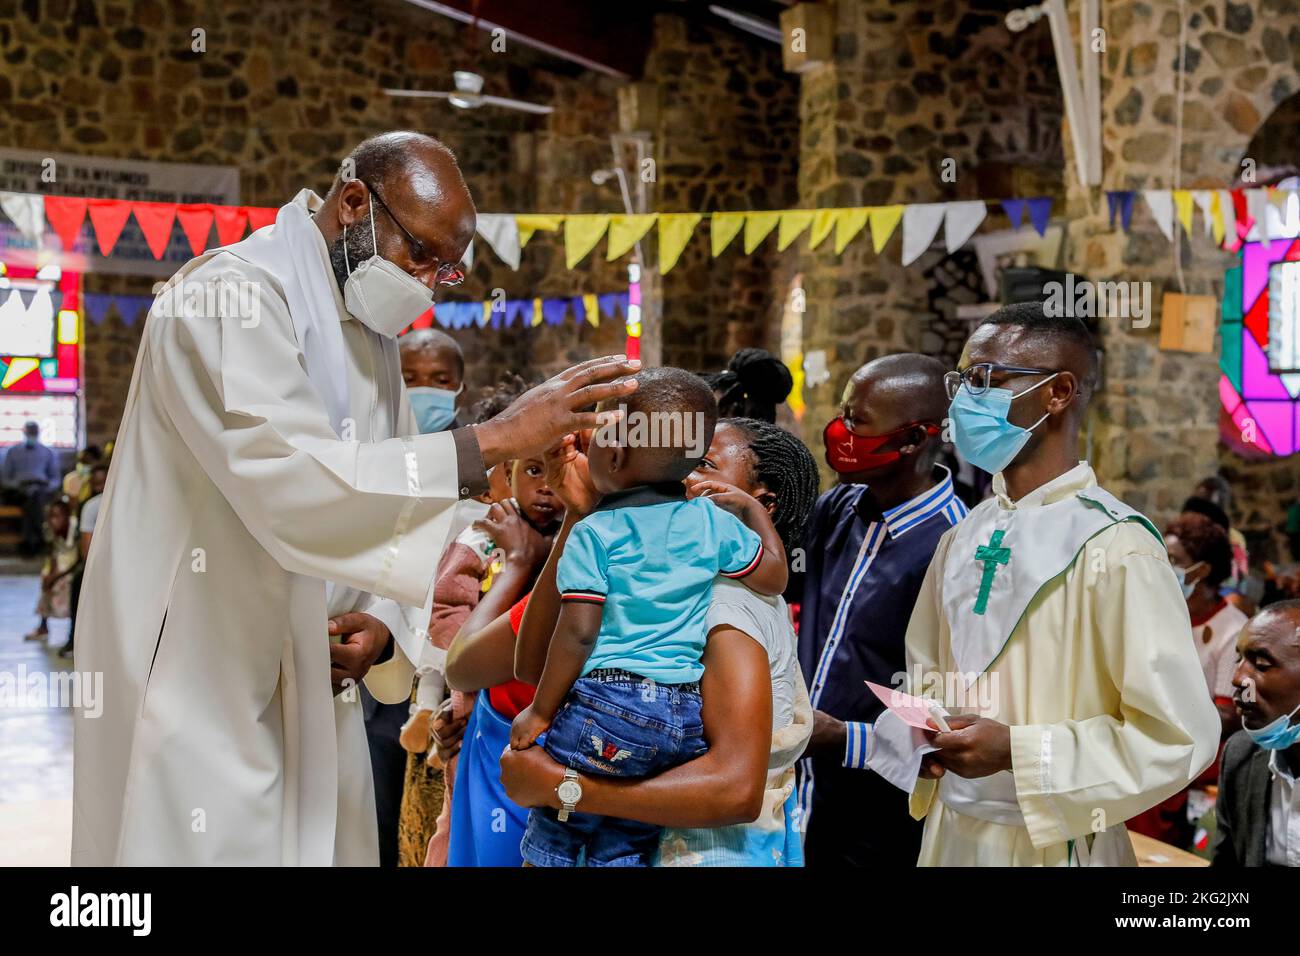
{"type": "Point", "coordinates": [1227, 215]}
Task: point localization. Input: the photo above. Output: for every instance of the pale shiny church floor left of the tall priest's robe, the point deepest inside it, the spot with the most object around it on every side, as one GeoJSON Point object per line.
{"type": "Point", "coordinates": [36, 743]}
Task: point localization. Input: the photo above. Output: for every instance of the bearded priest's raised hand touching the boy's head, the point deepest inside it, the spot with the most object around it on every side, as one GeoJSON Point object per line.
{"type": "Point", "coordinates": [539, 419]}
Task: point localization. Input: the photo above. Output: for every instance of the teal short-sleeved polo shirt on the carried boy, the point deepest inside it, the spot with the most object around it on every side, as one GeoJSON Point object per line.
{"type": "Point", "coordinates": [651, 556]}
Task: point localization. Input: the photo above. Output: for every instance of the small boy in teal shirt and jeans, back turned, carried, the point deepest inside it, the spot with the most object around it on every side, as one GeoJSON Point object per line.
{"type": "Point", "coordinates": [619, 695]}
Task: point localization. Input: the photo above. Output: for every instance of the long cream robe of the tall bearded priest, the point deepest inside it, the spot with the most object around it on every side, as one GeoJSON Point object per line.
{"type": "Point", "coordinates": [254, 494]}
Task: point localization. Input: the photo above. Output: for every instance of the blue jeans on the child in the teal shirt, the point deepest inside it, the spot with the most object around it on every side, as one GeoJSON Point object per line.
{"type": "Point", "coordinates": [626, 728]}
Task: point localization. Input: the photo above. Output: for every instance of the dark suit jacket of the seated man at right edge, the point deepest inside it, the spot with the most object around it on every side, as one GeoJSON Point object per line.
{"type": "Point", "coordinates": [1242, 812]}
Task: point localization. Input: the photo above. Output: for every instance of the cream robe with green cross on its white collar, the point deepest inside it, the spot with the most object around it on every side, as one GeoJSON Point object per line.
{"type": "Point", "coordinates": [1059, 616]}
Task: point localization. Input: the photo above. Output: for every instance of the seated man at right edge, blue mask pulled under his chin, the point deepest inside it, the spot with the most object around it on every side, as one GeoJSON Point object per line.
{"type": "Point", "coordinates": [1258, 814]}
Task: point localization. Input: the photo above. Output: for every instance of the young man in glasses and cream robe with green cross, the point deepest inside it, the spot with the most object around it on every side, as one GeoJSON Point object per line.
{"type": "Point", "coordinates": [1051, 628]}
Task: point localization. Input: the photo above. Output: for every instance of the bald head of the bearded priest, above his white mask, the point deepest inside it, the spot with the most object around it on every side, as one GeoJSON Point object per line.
{"type": "Point", "coordinates": [423, 214]}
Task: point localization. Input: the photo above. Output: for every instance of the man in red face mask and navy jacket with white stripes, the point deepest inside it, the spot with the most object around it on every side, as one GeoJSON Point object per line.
{"type": "Point", "coordinates": [869, 544]}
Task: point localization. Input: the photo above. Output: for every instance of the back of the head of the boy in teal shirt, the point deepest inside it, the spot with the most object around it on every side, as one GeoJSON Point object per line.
{"type": "Point", "coordinates": [678, 410]}
